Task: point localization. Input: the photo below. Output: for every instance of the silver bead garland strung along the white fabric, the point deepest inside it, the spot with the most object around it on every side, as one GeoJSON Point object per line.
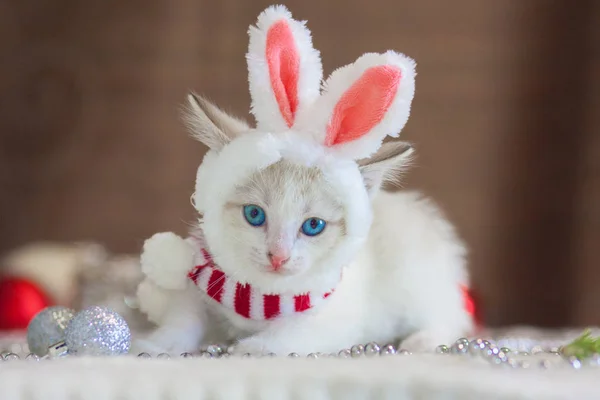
{"type": "Point", "coordinates": [500, 356]}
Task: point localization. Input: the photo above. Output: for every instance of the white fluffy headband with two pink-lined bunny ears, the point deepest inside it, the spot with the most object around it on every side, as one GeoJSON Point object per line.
{"type": "Point", "coordinates": [331, 128]}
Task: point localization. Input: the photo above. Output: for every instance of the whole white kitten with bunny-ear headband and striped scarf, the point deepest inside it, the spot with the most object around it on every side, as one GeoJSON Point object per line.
{"type": "Point", "coordinates": [297, 249]}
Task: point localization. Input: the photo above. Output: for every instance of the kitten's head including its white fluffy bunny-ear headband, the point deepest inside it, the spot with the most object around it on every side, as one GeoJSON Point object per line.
{"type": "Point", "coordinates": [287, 204]}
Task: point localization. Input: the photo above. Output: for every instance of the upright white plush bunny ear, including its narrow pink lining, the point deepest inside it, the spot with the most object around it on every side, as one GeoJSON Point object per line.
{"type": "Point", "coordinates": [285, 70]}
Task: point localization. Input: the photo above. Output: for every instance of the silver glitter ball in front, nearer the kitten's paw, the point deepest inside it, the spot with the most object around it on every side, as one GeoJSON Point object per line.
{"type": "Point", "coordinates": [98, 331]}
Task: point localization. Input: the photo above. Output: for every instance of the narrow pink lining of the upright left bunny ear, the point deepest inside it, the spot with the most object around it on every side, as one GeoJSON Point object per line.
{"type": "Point", "coordinates": [284, 68]}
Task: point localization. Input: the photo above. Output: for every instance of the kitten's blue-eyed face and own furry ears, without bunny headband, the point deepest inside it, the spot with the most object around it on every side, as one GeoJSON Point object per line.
{"type": "Point", "coordinates": [285, 225]}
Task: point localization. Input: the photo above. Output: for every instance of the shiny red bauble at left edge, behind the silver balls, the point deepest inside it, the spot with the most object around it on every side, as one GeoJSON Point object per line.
{"type": "Point", "coordinates": [20, 301]}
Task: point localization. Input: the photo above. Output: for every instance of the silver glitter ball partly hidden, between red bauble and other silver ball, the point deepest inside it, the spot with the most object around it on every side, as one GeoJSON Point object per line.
{"type": "Point", "coordinates": [48, 328]}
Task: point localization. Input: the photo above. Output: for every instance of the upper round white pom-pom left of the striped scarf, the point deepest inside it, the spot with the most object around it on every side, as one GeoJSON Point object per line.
{"type": "Point", "coordinates": [166, 259]}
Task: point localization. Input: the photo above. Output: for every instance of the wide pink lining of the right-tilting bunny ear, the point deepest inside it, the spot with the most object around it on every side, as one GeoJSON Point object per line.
{"type": "Point", "coordinates": [363, 105]}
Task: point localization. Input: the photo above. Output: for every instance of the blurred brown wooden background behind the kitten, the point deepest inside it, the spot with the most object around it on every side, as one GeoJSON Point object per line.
{"type": "Point", "coordinates": [506, 120]}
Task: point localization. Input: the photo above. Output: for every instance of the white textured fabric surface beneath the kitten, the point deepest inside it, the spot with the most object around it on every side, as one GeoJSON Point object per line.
{"type": "Point", "coordinates": [426, 376]}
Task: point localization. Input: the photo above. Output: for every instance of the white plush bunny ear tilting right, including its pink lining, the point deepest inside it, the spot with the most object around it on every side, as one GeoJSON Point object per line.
{"type": "Point", "coordinates": [362, 103]}
